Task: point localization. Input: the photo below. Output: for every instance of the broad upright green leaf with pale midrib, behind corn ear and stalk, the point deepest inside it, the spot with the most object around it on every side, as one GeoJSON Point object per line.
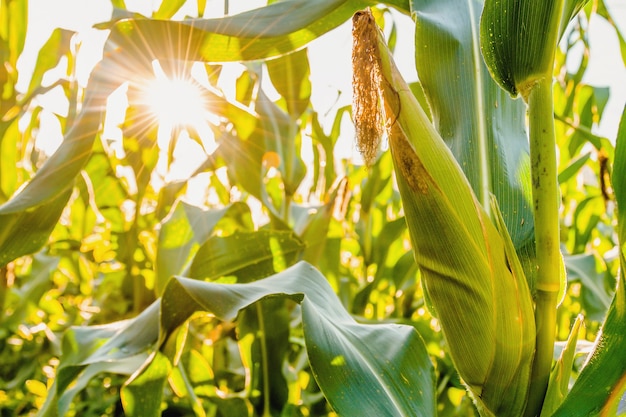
{"type": "Point", "coordinates": [482, 125]}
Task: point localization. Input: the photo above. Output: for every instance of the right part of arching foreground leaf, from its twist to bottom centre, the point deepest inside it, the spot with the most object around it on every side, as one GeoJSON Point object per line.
{"type": "Point", "coordinates": [389, 363]}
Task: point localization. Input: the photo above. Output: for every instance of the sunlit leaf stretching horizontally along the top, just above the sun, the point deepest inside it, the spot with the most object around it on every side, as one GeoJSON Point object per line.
{"type": "Point", "coordinates": [266, 32]}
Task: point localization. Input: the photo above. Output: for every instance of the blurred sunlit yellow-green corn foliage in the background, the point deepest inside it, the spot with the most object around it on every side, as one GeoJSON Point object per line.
{"type": "Point", "coordinates": [126, 227]}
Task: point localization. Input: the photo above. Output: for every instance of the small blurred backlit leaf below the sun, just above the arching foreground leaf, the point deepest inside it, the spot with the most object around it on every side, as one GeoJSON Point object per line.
{"type": "Point", "coordinates": [185, 229]}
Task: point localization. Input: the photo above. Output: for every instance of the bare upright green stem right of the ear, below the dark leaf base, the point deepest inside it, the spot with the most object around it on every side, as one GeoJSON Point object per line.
{"type": "Point", "coordinates": [546, 211]}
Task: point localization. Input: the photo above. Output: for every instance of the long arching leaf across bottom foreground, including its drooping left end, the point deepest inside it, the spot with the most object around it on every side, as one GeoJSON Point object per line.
{"type": "Point", "coordinates": [384, 369]}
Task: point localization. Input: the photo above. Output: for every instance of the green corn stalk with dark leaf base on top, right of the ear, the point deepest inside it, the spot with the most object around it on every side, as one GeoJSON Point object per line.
{"type": "Point", "coordinates": [518, 41]}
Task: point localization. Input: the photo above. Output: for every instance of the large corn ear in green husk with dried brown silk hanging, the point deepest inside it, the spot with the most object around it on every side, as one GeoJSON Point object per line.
{"type": "Point", "coordinates": [470, 272]}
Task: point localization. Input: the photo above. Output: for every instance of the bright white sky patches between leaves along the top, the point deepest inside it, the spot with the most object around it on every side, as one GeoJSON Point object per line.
{"type": "Point", "coordinates": [330, 55]}
